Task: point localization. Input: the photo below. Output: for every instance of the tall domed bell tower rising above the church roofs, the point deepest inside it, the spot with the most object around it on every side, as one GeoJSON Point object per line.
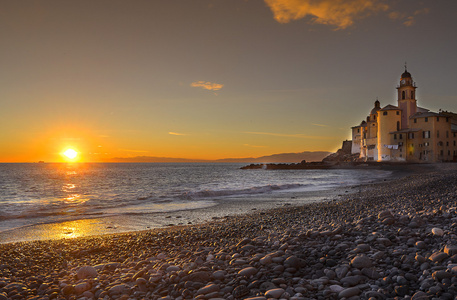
{"type": "Point", "coordinates": [406, 98]}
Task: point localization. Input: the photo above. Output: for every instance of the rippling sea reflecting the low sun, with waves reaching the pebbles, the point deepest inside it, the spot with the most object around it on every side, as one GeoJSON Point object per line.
{"type": "Point", "coordinates": [65, 200]}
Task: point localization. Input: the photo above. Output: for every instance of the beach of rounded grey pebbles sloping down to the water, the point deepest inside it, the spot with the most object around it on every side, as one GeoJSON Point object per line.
{"type": "Point", "coordinates": [391, 240]}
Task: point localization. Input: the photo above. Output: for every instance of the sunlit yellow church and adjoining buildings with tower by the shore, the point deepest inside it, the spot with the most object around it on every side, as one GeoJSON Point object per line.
{"type": "Point", "coordinates": [406, 132]}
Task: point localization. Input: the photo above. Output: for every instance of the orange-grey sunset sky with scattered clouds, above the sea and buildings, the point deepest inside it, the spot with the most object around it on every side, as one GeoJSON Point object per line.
{"type": "Point", "coordinates": [211, 79]}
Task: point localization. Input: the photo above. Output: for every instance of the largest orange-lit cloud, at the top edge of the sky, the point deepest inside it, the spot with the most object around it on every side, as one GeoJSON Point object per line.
{"type": "Point", "coordinates": [339, 13]}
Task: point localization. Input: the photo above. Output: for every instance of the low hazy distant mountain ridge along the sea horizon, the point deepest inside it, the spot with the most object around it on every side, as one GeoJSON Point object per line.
{"type": "Point", "coordinates": [275, 158]}
